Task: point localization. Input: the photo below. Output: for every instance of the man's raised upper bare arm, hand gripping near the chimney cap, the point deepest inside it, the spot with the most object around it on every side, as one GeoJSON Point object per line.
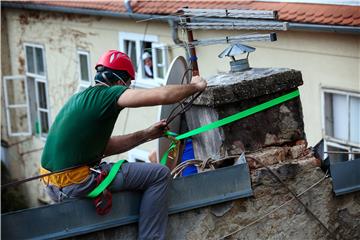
{"type": "Point", "coordinates": [161, 95]}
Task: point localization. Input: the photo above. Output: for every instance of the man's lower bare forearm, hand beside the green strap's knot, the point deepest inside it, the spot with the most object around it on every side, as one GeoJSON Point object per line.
{"type": "Point", "coordinates": [123, 143]}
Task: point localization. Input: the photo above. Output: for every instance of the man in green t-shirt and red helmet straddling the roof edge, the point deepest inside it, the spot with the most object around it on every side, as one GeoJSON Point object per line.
{"type": "Point", "coordinates": [81, 136]}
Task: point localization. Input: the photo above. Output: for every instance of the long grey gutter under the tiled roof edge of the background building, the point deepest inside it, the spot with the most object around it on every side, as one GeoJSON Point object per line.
{"type": "Point", "coordinates": [137, 16]}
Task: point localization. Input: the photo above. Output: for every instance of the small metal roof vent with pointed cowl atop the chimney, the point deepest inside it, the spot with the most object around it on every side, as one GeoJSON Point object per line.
{"type": "Point", "coordinates": [235, 49]}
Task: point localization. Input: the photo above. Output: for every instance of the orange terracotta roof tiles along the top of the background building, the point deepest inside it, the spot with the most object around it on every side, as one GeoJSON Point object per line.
{"type": "Point", "coordinates": [290, 12]}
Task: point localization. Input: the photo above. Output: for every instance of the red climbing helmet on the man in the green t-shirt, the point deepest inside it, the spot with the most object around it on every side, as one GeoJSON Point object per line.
{"type": "Point", "coordinates": [116, 60]}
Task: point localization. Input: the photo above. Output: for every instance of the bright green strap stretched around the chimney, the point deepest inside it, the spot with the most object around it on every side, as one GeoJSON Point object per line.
{"type": "Point", "coordinates": [229, 119]}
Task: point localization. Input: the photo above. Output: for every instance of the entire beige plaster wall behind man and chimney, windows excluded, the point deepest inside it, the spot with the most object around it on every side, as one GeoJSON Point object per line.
{"type": "Point", "coordinates": [325, 59]}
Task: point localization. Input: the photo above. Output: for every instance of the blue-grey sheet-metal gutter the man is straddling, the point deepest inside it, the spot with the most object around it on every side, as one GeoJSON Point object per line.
{"type": "Point", "coordinates": [78, 217]}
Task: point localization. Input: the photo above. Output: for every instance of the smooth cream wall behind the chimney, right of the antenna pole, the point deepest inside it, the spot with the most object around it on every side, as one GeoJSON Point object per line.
{"type": "Point", "coordinates": [325, 60]}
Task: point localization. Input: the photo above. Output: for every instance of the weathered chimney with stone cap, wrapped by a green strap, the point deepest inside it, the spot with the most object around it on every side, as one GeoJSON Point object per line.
{"type": "Point", "coordinates": [230, 93]}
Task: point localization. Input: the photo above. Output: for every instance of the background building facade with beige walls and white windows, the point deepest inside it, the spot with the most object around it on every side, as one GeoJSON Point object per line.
{"type": "Point", "coordinates": [49, 53]}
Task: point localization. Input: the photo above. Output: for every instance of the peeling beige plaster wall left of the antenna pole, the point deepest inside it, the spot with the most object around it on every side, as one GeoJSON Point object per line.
{"type": "Point", "coordinates": [61, 36]}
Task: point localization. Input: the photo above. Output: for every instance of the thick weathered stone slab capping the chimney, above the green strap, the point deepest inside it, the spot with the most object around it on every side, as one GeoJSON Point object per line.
{"type": "Point", "coordinates": [228, 88]}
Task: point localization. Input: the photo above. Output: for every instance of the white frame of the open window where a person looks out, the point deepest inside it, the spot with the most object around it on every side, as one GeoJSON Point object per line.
{"type": "Point", "coordinates": [140, 81]}
